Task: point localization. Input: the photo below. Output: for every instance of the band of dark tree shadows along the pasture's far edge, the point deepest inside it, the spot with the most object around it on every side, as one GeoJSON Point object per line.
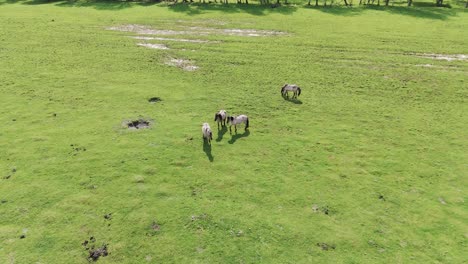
{"type": "Point", "coordinates": [419, 9]}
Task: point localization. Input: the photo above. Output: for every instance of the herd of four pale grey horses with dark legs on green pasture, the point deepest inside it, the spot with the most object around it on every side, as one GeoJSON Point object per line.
{"type": "Point", "coordinates": [221, 117]}
